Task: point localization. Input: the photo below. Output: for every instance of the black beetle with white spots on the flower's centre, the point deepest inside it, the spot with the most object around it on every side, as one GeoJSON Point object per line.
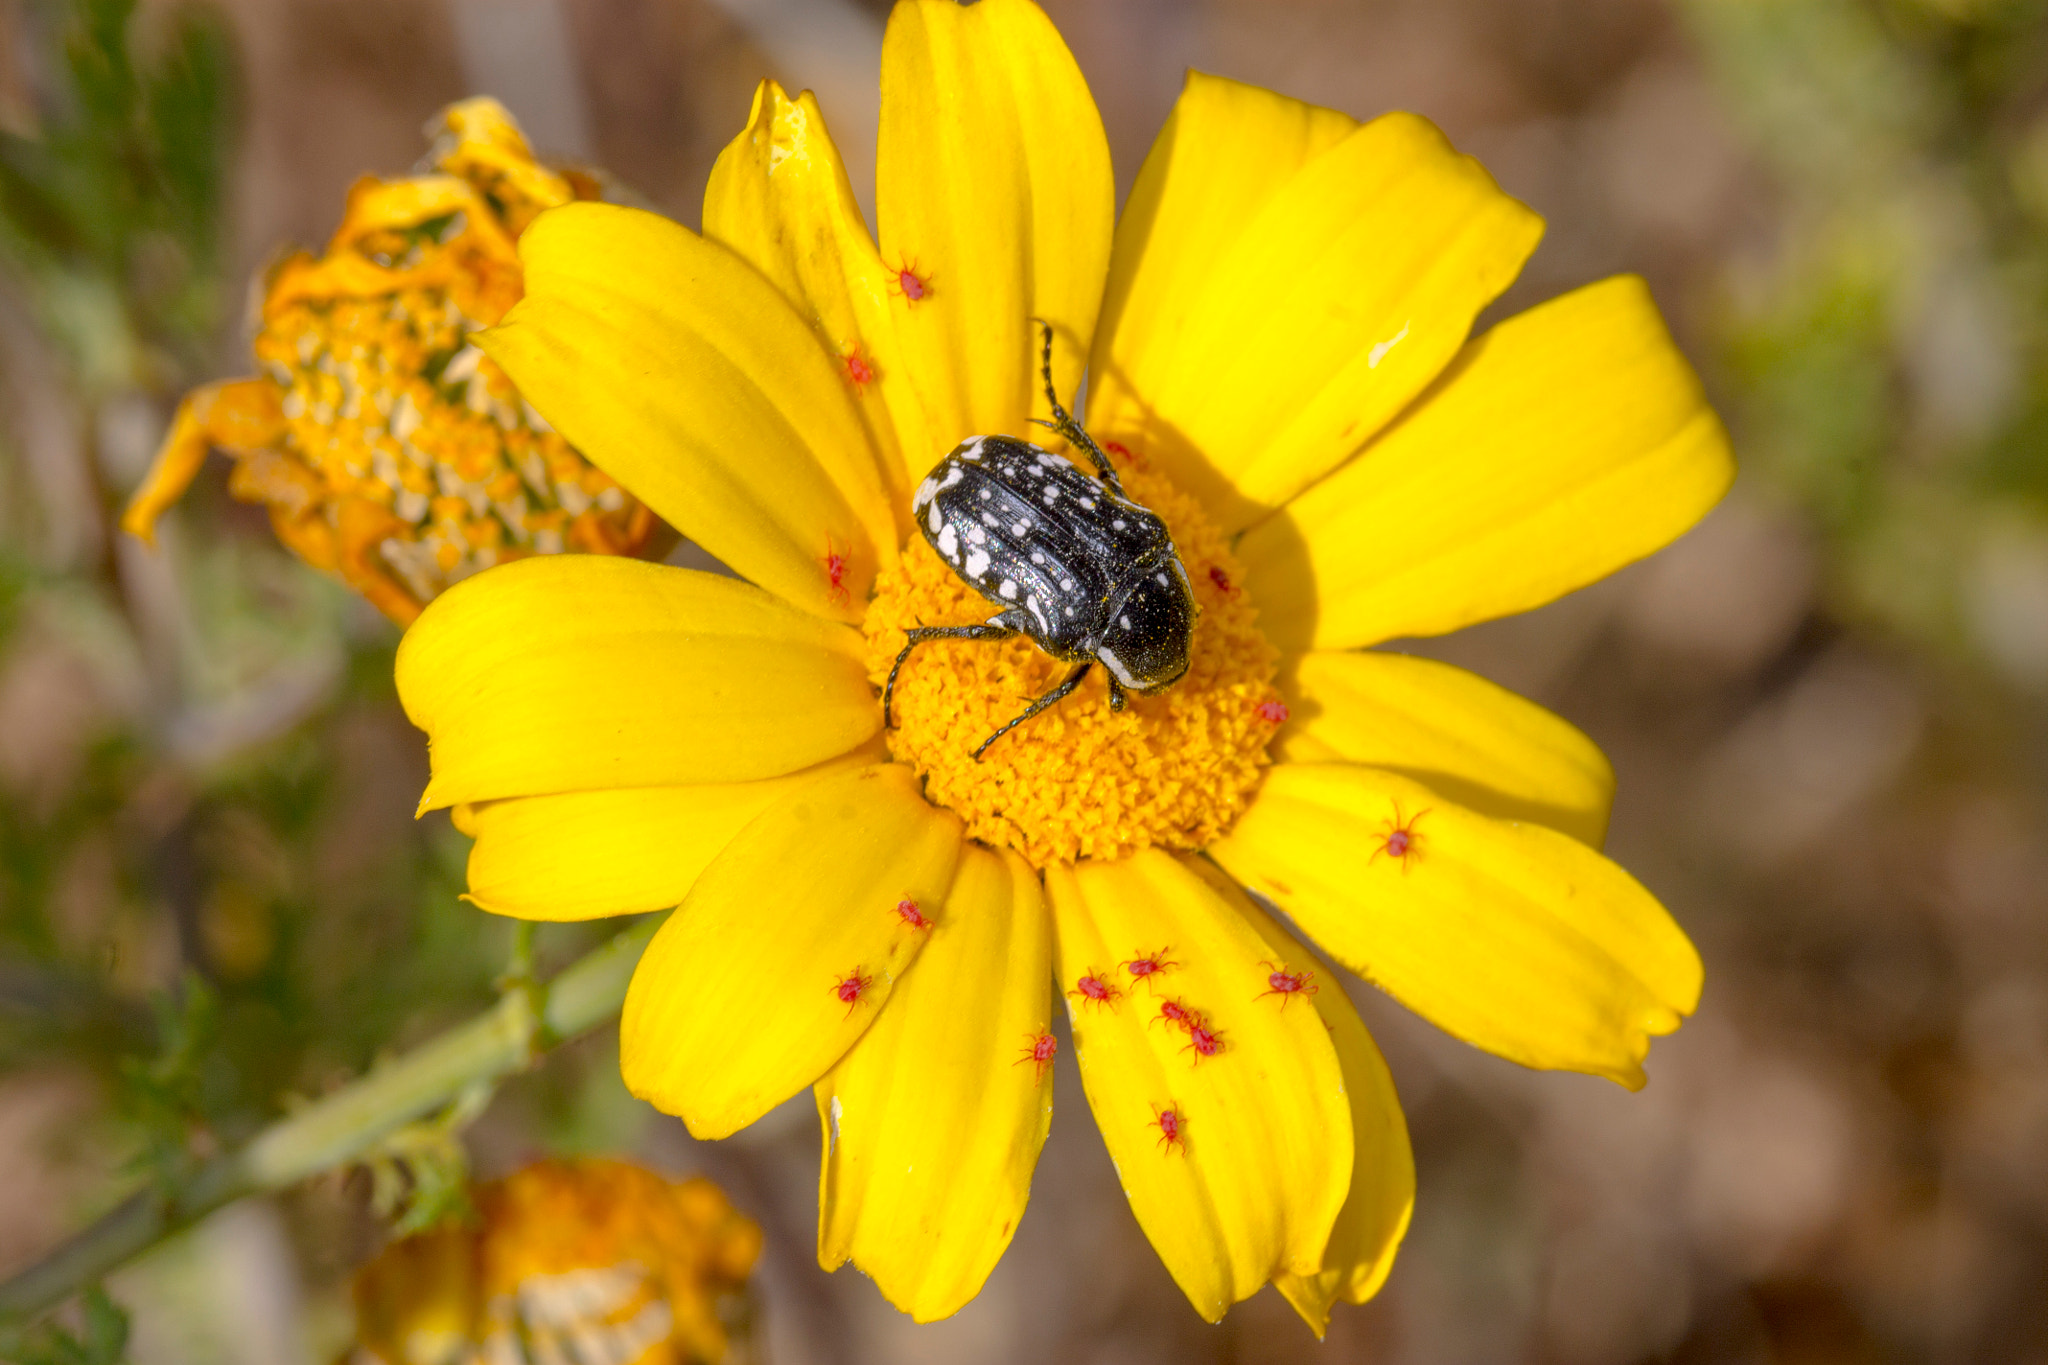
{"type": "Point", "coordinates": [1076, 566]}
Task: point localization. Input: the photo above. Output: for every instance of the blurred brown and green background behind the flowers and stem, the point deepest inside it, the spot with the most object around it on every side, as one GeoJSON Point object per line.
{"type": "Point", "coordinates": [1826, 705]}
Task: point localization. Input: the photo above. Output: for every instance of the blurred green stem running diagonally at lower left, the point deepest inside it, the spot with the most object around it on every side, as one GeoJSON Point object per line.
{"type": "Point", "coordinates": [343, 1125]}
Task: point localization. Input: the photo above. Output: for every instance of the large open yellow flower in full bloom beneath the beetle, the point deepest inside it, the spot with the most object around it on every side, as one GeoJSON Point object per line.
{"type": "Point", "coordinates": [1283, 359]}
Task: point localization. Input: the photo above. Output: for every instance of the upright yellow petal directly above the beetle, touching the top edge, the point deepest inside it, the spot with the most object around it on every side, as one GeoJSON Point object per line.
{"type": "Point", "coordinates": [994, 191]}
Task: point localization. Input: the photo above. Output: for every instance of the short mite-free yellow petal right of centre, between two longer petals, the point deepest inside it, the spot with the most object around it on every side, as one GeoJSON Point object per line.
{"type": "Point", "coordinates": [1453, 732]}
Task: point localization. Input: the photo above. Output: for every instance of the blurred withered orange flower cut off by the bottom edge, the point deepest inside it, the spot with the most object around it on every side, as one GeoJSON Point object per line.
{"type": "Point", "coordinates": [601, 1258]}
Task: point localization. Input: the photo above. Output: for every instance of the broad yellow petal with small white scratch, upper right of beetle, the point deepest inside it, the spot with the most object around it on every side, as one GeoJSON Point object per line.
{"type": "Point", "coordinates": [1285, 285]}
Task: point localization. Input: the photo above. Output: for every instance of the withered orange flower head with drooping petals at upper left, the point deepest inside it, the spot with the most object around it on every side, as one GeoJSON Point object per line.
{"type": "Point", "coordinates": [388, 449]}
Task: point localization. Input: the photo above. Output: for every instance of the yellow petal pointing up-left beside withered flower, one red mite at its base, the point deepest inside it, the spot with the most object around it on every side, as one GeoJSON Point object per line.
{"type": "Point", "coordinates": [693, 382]}
